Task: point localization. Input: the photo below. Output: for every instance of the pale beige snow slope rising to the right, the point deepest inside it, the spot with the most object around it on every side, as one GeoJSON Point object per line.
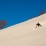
{"type": "Point", "coordinates": [25, 33]}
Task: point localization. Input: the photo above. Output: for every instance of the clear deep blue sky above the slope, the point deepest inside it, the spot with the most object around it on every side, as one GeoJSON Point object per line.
{"type": "Point", "coordinates": [16, 11]}
